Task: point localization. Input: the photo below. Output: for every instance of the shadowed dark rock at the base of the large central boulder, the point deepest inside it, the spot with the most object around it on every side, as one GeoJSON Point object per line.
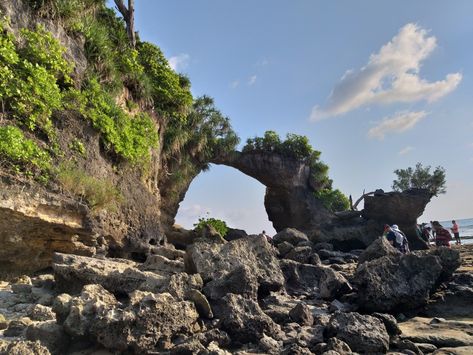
{"type": "Point", "coordinates": [240, 281]}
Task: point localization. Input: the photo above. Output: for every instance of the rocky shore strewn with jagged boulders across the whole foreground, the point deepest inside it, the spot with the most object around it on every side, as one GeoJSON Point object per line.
{"type": "Point", "coordinates": [245, 296]}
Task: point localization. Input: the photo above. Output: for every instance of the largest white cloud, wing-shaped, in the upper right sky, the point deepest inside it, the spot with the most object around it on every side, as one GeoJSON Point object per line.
{"type": "Point", "coordinates": [391, 75]}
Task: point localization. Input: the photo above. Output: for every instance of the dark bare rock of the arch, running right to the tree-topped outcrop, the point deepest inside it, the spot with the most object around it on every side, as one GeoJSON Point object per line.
{"type": "Point", "coordinates": [290, 202]}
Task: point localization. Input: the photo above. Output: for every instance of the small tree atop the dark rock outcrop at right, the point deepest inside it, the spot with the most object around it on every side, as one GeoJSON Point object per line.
{"type": "Point", "coordinates": [421, 178]}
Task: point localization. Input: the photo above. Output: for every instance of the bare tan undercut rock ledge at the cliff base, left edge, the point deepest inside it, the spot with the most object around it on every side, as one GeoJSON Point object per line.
{"type": "Point", "coordinates": [33, 224]}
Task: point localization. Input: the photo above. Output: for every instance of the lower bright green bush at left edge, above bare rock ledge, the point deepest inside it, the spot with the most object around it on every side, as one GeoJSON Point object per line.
{"type": "Point", "coordinates": [22, 154]}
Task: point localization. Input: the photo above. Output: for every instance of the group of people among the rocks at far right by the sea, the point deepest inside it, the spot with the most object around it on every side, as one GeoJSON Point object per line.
{"type": "Point", "coordinates": [433, 232]}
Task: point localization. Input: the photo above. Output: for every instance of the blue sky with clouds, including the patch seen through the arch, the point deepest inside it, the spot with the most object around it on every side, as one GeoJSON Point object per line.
{"type": "Point", "coordinates": [375, 85]}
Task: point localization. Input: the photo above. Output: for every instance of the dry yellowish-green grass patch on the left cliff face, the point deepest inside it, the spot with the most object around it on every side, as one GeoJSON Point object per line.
{"type": "Point", "coordinates": [98, 193]}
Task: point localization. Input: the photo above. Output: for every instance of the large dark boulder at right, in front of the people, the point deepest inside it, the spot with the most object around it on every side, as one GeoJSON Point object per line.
{"type": "Point", "coordinates": [397, 282]}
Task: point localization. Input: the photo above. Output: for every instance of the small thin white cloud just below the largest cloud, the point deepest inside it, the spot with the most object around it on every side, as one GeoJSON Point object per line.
{"type": "Point", "coordinates": [400, 122]}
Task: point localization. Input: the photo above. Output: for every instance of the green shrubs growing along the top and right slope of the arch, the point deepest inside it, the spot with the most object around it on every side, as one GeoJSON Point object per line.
{"type": "Point", "coordinates": [299, 148]}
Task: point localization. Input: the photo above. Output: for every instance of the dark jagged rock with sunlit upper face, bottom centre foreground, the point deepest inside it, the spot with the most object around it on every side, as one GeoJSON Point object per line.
{"type": "Point", "coordinates": [244, 320]}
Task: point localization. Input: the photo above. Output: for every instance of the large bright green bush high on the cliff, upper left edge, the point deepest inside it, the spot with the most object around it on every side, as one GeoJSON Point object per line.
{"type": "Point", "coordinates": [33, 69]}
